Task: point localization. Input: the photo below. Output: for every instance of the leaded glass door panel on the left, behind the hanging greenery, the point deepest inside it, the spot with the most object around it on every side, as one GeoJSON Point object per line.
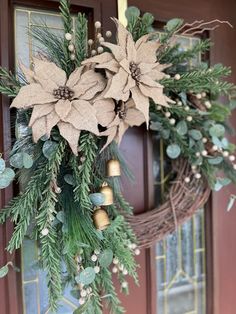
{"type": "Point", "coordinates": [34, 286]}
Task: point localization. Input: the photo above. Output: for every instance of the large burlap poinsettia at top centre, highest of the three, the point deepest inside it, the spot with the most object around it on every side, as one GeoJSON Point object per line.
{"type": "Point", "coordinates": [135, 69]}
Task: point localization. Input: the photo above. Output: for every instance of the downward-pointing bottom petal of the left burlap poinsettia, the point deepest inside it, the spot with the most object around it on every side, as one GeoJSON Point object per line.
{"type": "Point", "coordinates": [71, 134]}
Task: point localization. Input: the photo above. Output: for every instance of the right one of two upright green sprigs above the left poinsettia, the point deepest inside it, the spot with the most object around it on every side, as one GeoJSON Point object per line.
{"type": "Point", "coordinates": [81, 38]}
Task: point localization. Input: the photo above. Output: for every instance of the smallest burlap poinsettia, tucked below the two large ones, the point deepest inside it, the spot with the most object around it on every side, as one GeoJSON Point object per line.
{"type": "Point", "coordinates": [117, 119]}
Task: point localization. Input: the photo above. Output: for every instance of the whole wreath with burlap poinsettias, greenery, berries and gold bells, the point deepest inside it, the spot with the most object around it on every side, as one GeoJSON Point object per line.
{"type": "Point", "coordinates": [74, 104]}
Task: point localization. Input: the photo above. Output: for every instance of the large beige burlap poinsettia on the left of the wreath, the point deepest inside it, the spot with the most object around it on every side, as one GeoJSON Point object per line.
{"type": "Point", "coordinates": [59, 101]}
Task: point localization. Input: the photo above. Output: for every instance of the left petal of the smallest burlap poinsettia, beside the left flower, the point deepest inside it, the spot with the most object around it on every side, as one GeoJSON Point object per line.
{"type": "Point", "coordinates": [105, 111]}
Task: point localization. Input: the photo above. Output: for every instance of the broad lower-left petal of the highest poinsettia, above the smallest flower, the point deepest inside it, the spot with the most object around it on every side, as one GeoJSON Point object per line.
{"type": "Point", "coordinates": [118, 83]}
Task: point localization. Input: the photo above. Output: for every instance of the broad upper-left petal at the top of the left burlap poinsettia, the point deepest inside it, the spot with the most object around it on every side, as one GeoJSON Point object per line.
{"type": "Point", "coordinates": [48, 74]}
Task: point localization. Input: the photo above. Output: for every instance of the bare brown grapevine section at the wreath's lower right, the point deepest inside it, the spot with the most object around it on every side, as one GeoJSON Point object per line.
{"type": "Point", "coordinates": [182, 200]}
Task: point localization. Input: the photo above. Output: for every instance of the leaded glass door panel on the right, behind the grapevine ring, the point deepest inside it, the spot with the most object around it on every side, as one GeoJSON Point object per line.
{"type": "Point", "coordinates": [180, 257]}
